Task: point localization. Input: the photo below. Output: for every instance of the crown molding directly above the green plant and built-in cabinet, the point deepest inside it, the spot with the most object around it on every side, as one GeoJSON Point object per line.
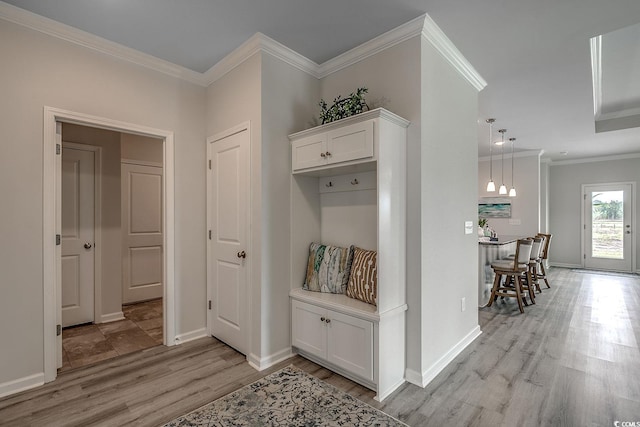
{"type": "Point", "coordinates": [384, 41]}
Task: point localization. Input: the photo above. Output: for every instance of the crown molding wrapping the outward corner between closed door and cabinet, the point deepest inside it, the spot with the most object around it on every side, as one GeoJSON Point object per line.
{"type": "Point", "coordinates": [259, 43]}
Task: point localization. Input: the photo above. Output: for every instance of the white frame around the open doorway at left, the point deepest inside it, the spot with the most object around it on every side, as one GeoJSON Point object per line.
{"type": "Point", "coordinates": [51, 222]}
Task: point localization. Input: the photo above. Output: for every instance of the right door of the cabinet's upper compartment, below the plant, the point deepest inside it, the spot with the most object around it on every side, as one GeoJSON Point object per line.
{"type": "Point", "coordinates": [351, 142]}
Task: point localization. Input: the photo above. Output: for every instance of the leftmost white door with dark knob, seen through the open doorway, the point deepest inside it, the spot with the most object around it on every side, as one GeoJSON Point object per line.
{"type": "Point", "coordinates": [78, 213]}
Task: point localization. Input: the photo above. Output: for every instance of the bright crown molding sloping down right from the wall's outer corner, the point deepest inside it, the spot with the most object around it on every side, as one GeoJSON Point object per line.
{"type": "Point", "coordinates": [450, 52]}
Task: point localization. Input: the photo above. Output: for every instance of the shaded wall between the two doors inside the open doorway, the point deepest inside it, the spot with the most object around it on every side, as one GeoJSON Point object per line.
{"type": "Point", "coordinates": [111, 280]}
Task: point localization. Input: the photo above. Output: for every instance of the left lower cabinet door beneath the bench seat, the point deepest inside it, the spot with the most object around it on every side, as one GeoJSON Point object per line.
{"type": "Point", "coordinates": [309, 332]}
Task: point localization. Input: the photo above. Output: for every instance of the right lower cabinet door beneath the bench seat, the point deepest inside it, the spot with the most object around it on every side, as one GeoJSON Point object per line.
{"type": "Point", "coordinates": [350, 344]}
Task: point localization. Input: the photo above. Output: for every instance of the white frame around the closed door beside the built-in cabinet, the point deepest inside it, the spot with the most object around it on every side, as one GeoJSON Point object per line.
{"type": "Point", "coordinates": [244, 126]}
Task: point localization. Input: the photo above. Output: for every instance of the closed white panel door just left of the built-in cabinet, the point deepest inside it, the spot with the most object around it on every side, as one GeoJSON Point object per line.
{"type": "Point", "coordinates": [227, 198]}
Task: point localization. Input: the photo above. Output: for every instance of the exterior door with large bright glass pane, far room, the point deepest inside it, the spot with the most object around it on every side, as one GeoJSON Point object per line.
{"type": "Point", "coordinates": [608, 227]}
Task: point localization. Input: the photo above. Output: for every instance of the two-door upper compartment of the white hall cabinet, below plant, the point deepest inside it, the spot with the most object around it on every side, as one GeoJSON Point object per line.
{"type": "Point", "coordinates": [330, 145]}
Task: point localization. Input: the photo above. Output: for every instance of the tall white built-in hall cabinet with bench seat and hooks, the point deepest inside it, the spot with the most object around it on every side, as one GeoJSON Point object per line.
{"type": "Point", "coordinates": [348, 186]}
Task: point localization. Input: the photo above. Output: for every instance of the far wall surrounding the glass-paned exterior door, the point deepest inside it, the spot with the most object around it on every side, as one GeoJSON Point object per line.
{"type": "Point", "coordinates": [565, 202]}
